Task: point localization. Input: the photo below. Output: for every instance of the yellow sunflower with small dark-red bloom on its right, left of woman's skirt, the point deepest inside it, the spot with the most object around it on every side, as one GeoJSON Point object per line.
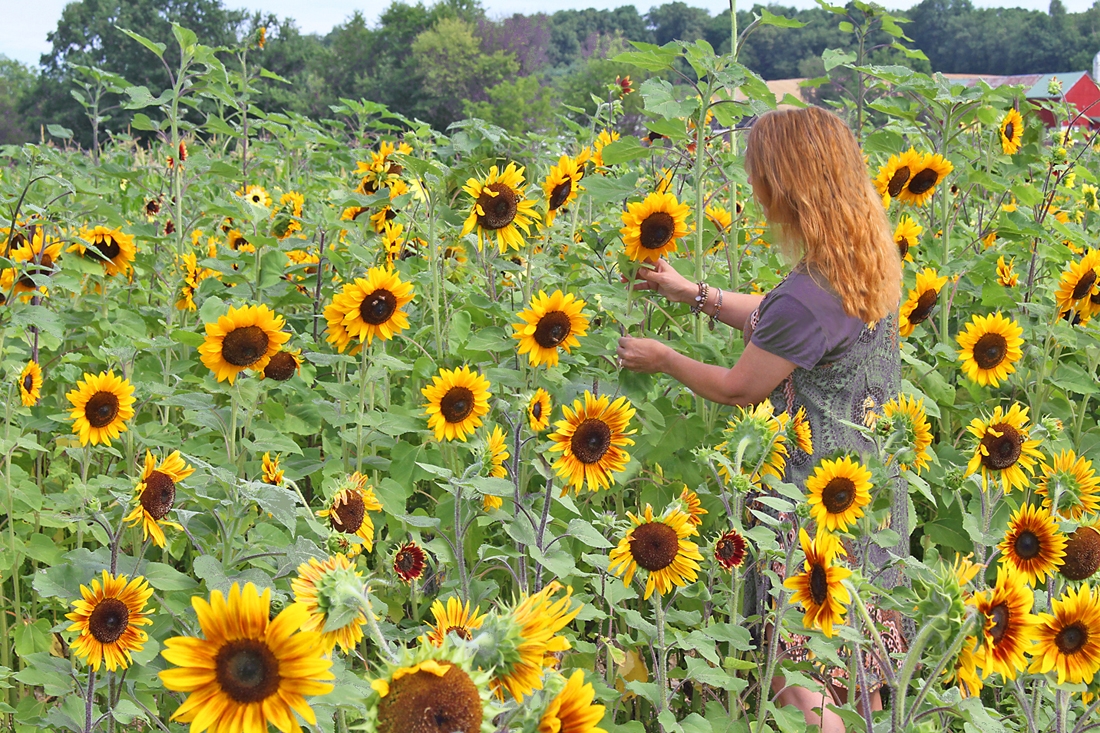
{"type": "Point", "coordinates": [661, 546]}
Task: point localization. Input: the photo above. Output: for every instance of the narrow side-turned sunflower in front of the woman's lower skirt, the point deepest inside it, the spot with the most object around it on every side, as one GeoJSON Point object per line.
{"type": "Point", "coordinates": [819, 587]}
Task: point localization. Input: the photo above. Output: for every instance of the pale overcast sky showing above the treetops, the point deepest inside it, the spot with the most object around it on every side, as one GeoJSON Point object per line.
{"type": "Point", "coordinates": [28, 24]}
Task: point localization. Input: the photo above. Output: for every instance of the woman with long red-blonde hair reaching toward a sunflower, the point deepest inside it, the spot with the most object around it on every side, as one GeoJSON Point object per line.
{"type": "Point", "coordinates": [826, 340]}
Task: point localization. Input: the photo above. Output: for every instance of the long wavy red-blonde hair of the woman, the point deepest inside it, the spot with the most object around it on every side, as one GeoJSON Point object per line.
{"type": "Point", "coordinates": [809, 176]}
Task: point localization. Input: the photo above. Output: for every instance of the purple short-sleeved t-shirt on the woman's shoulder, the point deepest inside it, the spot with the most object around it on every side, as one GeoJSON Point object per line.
{"type": "Point", "coordinates": [805, 323]}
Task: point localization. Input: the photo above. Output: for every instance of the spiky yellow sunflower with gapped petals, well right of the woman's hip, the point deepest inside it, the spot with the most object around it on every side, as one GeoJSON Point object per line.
{"type": "Point", "coordinates": [1004, 451]}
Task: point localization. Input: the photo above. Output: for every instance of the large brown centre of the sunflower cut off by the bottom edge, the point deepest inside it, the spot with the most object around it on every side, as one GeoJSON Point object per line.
{"type": "Point", "coordinates": [425, 703]}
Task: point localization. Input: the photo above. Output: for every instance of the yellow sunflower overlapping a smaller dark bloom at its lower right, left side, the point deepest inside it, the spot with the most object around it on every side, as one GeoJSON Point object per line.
{"type": "Point", "coordinates": [247, 337]}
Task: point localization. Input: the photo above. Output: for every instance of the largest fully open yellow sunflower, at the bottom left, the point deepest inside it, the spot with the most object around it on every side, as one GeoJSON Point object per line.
{"type": "Point", "coordinates": [247, 672]}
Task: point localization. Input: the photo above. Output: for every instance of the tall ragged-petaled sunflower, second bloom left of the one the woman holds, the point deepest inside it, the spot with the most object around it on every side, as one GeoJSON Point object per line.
{"type": "Point", "coordinates": [500, 209]}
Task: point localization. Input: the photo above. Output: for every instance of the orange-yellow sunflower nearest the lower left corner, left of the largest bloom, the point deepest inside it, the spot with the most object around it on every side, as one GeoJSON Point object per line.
{"type": "Point", "coordinates": [108, 617]}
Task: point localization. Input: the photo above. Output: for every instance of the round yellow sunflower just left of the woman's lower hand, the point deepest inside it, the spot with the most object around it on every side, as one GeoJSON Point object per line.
{"type": "Point", "coordinates": [552, 323]}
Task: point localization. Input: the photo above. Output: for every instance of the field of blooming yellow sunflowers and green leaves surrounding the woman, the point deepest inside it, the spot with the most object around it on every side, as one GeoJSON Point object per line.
{"type": "Point", "coordinates": [321, 425]}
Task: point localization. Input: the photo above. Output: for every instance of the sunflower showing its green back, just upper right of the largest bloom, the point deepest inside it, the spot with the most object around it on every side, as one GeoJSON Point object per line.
{"type": "Point", "coordinates": [321, 587]}
